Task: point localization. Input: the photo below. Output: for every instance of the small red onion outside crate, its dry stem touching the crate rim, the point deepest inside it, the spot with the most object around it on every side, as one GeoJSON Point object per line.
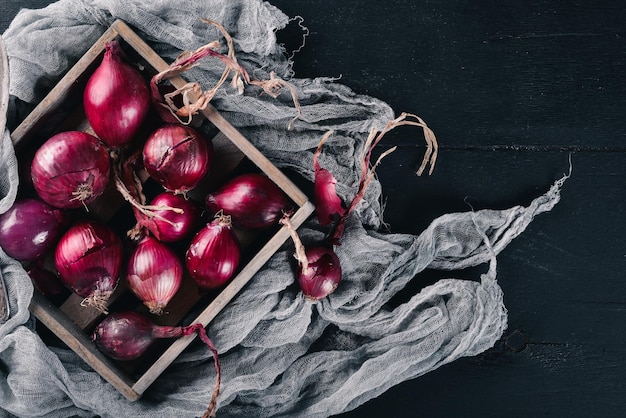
{"type": "Point", "coordinates": [319, 269]}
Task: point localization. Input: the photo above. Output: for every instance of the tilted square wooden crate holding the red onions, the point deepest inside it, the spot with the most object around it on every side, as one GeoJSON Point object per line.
{"type": "Point", "coordinates": [62, 109]}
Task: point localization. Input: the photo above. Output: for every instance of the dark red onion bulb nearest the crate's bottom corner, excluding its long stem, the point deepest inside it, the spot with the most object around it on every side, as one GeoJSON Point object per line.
{"type": "Point", "coordinates": [123, 335]}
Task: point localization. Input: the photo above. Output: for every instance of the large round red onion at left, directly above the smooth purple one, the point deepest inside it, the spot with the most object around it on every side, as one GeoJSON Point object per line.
{"type": "Point", "coordinates": [71, 169]}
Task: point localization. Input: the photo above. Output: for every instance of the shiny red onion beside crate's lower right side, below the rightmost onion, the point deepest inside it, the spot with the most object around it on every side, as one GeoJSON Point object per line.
{"type": "Point", "coordinates": [213, 255]}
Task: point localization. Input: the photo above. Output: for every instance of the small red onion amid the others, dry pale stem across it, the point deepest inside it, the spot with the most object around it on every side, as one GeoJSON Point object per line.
{"type": "Point", "coordinates": [172, 218]}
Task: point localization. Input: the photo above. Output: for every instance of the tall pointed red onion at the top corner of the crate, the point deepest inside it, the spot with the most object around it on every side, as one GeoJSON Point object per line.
{"type": "Point", "coordinates": [116, 99]}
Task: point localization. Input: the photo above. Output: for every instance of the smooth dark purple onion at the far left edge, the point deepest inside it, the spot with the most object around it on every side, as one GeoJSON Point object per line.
{"type": "Point", "coordinates": [30, 228]}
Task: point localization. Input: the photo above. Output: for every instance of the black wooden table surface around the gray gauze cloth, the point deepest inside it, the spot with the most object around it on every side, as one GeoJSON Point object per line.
{"type": "Point", "coordinates": [512, 90]}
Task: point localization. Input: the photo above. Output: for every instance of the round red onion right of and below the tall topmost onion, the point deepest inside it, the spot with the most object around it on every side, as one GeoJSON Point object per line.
{"type": "Point", "coordinates": [177, 157]}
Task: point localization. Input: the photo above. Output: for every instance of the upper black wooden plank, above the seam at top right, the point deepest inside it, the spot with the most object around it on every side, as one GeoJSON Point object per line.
{"type": "Point", "coordinates": [488, 73]}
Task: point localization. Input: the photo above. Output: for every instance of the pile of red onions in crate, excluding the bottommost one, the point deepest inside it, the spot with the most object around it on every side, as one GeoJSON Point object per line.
{"type": "Point", "coordinates": [174, 237]}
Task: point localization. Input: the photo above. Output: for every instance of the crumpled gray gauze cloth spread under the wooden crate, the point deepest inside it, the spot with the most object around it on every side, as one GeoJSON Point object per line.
{"type": "Point", "coordinates": [281, 354]}
